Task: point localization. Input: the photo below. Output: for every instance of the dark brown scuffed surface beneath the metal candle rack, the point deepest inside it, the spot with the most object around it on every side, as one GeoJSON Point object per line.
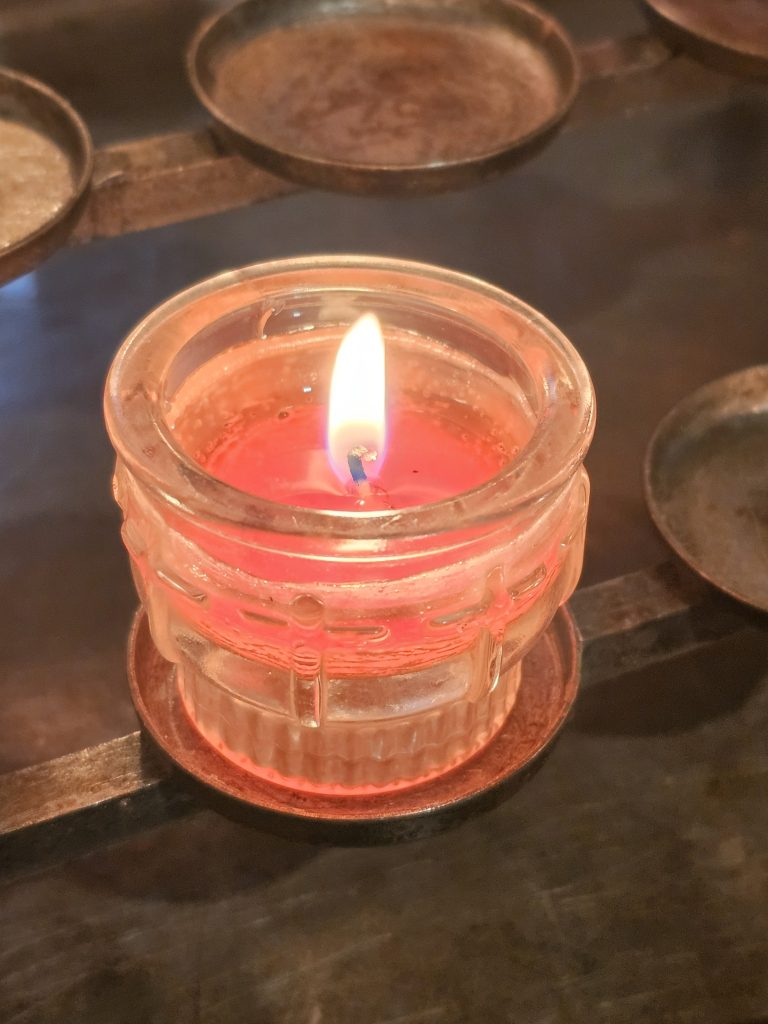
{"type": "Point", "coordinates": [628, 881]}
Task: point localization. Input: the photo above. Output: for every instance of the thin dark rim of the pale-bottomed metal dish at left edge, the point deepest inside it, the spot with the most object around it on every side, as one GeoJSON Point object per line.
{"type": "Point", "coordinates": [29, 251]}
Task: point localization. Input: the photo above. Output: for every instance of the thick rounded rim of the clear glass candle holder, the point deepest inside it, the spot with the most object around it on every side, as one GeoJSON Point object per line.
{"type": "Point", "coordinates": [136, 426]}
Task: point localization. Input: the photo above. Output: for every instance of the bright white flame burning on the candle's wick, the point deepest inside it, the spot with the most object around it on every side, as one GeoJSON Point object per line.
{"type": "Point", "coordinates": [357, 415]}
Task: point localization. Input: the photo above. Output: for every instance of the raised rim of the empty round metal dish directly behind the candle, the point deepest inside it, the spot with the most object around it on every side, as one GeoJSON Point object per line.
{"type": "Point", "coordinates": [326, 173]}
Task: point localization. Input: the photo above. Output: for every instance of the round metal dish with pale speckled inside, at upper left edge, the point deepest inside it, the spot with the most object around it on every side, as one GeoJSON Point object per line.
{"type": "Point", "coordinates": [47, 162]}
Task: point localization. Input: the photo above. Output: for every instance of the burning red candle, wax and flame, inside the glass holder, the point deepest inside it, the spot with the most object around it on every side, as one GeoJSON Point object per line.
{"type": "Point", "coordinates": [335, 455]}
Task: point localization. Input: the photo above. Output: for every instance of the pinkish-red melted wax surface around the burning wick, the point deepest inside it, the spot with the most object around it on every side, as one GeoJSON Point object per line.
{"type": "Point", "coordinates": [284, 459]}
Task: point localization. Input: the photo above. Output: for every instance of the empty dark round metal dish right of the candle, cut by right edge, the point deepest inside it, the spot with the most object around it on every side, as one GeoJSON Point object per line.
{"type": "Point", "coordinates": [707, 483]}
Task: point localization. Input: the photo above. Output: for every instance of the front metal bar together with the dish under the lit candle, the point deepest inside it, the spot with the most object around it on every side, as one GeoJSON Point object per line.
{"type": "Point", "coordinates": [65, 807]}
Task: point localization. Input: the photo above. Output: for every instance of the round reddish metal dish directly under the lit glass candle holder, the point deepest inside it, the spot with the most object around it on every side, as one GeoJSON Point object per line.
{"type": "Point", "coordinates": [550, 681]}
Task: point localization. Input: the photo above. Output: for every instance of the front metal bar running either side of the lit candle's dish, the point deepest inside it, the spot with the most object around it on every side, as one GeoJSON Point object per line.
{"type": "Point", "coordinates": [66, 807]}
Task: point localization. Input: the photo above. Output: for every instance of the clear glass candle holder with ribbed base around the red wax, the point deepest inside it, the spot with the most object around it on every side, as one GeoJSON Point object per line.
{"type": "Point", "coordinates": [350, 652]}
